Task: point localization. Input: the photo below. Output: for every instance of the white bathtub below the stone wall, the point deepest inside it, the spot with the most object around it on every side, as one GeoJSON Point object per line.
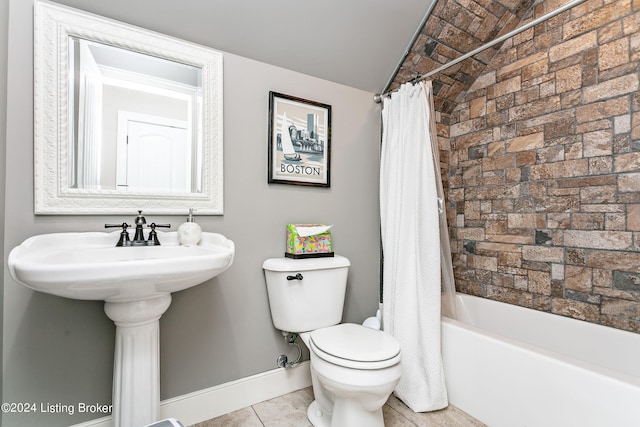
{"type": "Point", "coordinates": [510, 366]}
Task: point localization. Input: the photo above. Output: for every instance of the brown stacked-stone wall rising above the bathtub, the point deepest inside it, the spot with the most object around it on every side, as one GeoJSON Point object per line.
{"type": "Point", "coordinates": [542, 157]}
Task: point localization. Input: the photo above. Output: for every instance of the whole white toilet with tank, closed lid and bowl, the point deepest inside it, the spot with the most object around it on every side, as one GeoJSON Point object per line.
{"type": "Point", "coordinates": [354, 369]}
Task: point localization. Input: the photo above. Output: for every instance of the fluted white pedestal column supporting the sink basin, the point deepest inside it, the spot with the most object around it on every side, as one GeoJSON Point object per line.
{"type": "Point", "coordinates": [136, 370]}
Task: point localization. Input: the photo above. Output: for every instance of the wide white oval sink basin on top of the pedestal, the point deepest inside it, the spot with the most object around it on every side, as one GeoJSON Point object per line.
{"type": "Point", "coordinates": [88, 266]}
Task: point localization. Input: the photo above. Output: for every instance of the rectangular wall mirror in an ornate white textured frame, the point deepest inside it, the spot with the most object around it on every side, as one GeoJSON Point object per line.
{"type": "Point", "coordinates": [125, 118]}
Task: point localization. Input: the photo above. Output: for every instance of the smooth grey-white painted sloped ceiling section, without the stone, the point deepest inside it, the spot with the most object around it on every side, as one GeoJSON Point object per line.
{"type": "Point", "coordinates": [358, 43]}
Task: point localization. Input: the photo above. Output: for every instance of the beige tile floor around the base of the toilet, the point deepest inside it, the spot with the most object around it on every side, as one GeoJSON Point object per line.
{"type": "Point", "coordinates": [290, 410]}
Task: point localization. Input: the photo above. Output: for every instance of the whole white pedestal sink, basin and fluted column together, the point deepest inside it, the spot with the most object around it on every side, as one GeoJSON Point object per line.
{"type": "Point", "coordinates": [136, 284]}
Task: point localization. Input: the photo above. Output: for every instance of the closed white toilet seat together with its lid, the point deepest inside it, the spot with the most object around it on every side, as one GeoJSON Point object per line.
{"type": "Point", "coordinates": [355, 346]}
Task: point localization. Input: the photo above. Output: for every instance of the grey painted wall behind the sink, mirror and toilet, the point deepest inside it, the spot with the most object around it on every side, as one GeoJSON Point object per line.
{"type": "Point", "coordinates": [61, 351]}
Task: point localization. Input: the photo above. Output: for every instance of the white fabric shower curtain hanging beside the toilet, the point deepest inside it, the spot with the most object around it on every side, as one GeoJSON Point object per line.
{"type": "Point", "coordinates": [411, 246]}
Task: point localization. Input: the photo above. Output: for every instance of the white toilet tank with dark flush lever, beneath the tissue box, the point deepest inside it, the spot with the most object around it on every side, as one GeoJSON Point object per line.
{"type": "Point", "coordinates": [306, 294]}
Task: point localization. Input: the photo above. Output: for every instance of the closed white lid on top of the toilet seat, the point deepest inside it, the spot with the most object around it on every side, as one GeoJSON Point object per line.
{"type": "Point", "coordinates": [353, 342]}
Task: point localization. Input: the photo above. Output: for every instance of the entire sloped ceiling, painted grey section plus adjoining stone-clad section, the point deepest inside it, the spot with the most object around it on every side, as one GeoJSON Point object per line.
{"type": "Point", "coordinates": [359, 43]}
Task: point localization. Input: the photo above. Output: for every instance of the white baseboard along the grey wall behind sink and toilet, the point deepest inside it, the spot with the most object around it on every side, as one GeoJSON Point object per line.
{"type": "Point", "coordinates": [212, 402]}
